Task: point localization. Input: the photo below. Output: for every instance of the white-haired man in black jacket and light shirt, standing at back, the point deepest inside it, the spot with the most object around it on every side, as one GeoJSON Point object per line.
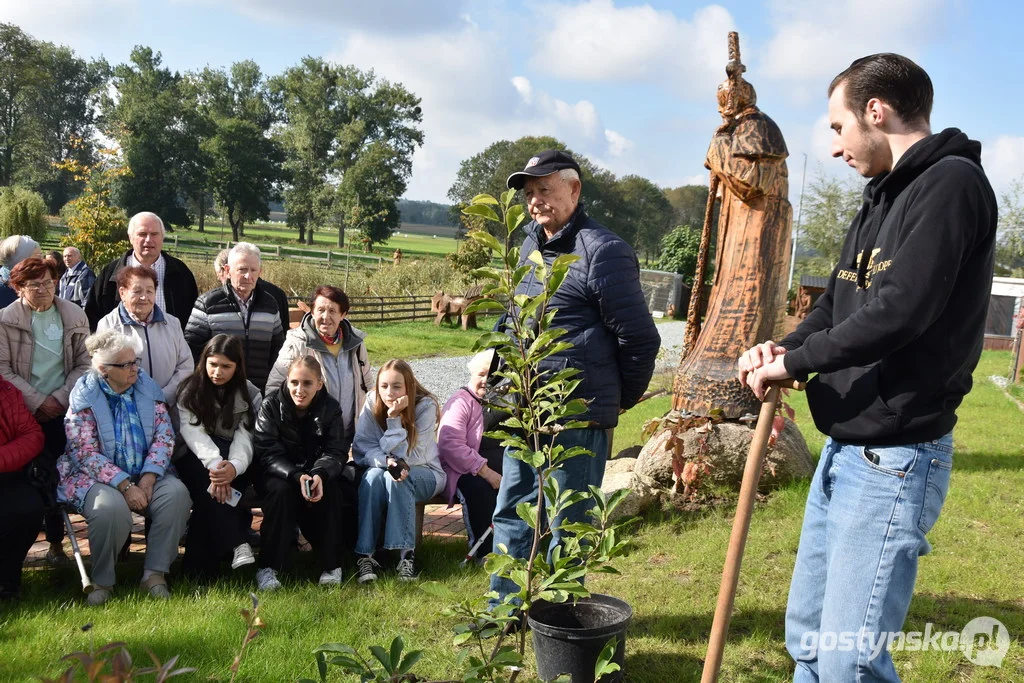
{"type": "Point", "coordinates": [177, 289]}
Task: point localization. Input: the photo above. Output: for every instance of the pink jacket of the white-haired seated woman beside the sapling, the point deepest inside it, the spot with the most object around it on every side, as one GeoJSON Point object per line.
{"type": "Point", "coordinates": [459, 440]}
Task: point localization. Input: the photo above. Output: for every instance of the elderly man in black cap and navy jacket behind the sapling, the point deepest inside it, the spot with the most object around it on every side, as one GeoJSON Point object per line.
{"type": "Point", "coordinates": [604, 312]}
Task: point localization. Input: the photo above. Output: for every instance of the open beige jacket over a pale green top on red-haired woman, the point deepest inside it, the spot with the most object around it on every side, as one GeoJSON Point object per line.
{"type": "Point", "coordinates": [17, 345]}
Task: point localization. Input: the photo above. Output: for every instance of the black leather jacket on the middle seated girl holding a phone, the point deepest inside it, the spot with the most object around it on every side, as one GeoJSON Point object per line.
{"type": "Point", "coordinates": [288, 446]}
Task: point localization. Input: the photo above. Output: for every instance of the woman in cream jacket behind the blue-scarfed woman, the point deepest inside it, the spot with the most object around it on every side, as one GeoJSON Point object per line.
{"type": "Point", "coordinates": [166, 356]}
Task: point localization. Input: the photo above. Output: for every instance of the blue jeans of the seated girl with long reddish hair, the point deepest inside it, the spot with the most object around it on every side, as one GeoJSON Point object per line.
{"type": "Point", "coordinates": [380, 495]}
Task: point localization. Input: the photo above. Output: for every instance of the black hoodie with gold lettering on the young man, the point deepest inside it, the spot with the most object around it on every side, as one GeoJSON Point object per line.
{"type": "Point", "coordinates": [897, 335]}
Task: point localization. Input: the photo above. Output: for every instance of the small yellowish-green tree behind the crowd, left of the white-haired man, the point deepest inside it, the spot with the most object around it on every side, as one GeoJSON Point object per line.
{"type": "Point", "coordinates": [98, 228]}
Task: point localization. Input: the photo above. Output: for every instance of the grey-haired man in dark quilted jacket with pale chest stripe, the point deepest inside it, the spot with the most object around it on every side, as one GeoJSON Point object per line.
{"type": "Point", "coordinates": [243, 309]}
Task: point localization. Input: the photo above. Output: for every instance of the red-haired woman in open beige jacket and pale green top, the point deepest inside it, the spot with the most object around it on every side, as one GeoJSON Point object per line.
{"type": "Point", "coordinates": [42, 353]}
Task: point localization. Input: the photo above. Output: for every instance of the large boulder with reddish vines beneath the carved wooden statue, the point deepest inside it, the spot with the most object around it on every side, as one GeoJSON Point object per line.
{"type": "Point", "coordinates": [729, 444]}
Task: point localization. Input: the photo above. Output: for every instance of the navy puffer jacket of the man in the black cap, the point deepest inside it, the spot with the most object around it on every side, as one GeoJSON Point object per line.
{"type": "Point", "coordinates": [603, 308]}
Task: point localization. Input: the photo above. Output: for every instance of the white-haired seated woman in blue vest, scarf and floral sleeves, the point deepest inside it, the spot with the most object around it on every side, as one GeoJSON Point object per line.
{"type": "Point", "coordinates": [118, 462]}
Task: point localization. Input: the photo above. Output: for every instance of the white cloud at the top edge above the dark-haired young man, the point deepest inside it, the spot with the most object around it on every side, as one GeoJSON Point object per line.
{"type": "Point", "coordinates": [816, 40]}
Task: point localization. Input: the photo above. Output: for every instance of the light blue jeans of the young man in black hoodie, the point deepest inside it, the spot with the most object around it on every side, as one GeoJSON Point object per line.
{"type": "Point", "coordinates": [865, 528]}
